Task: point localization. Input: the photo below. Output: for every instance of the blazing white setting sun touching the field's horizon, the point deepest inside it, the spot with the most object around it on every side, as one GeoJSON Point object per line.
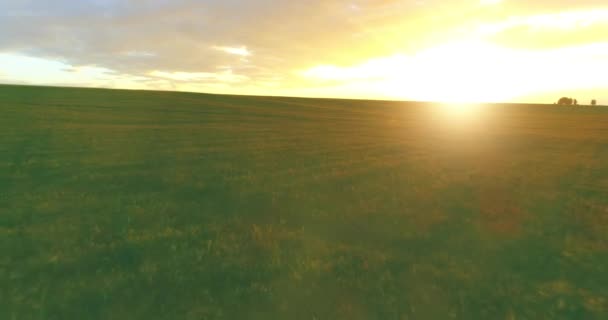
{"type": "Point", "coordinates": [459, 73]}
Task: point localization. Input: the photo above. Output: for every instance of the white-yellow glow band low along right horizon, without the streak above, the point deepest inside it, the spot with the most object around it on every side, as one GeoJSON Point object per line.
{"type": "Point", "coordinates": [476, 72]}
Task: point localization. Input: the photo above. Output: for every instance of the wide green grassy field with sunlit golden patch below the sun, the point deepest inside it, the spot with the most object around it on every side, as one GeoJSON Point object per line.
{"type": "Point", "coordinates": [160, 205]}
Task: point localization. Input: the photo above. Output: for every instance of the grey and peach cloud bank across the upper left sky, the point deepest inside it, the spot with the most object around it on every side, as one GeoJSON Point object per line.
{"type": "Point", "coordinates": [188, 35]}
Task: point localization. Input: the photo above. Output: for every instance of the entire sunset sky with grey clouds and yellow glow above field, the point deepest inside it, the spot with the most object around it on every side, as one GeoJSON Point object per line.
{"type": "Point", "coordinates": [426, 50]}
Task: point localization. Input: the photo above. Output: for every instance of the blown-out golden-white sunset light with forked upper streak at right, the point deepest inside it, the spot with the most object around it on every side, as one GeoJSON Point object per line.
{"type": "Point", "coordinates": [477, 68]}
